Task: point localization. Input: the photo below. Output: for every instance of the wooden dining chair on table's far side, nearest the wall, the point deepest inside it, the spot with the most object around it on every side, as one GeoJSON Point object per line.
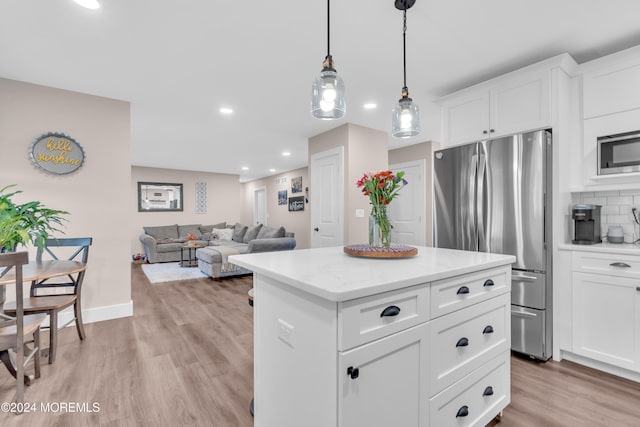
{"type": "Point", "coordinates": [53, 303]}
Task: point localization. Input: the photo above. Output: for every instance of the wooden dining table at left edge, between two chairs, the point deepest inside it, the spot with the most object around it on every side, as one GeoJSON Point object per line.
{"type": "Point", "coordinates": [35, 271]}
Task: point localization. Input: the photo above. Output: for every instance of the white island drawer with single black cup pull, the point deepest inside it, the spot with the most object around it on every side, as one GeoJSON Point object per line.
{"type": "Point", "coordinates": [366, 319]}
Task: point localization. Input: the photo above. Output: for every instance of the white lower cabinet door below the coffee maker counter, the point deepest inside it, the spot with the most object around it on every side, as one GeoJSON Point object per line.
{"type": "Point", "coordinates": [606, 319]}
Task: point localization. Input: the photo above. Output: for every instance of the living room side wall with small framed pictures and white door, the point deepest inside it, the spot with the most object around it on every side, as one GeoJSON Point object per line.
{"type": "Point", "coordinates": [279, 215]}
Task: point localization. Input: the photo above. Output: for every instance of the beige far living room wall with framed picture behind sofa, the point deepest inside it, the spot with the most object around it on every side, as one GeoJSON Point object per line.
{"type": "Point", "coordinates": [224, 200]}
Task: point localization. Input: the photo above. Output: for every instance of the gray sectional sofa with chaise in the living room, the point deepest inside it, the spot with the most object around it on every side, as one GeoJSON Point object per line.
{"type": "Point", "coordinates": [163, 243]}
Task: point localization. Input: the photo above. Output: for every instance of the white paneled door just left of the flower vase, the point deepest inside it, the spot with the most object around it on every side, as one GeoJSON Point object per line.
{"type": "Point", "coordinates": [326, 198]}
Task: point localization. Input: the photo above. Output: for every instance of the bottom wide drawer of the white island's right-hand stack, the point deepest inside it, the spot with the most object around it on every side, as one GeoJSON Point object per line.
{"type": "Point", "coordinates": [474, 400]}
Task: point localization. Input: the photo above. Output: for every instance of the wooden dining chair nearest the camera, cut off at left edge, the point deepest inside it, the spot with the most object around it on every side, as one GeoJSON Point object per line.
{"type": "Point", "coordinates": [14, 330]}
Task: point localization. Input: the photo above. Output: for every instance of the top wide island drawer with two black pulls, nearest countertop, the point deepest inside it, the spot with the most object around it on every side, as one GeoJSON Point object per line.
{"type": "Point", "coordinates": [449, 295]}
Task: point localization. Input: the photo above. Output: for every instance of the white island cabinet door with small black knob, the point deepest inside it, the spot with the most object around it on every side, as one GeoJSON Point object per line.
{"type": "Point", "coordinates": [381, 382]}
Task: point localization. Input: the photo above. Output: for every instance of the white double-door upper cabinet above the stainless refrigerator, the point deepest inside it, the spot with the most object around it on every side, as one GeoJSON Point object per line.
{"type": "Point", "coordinates": [513, 104]}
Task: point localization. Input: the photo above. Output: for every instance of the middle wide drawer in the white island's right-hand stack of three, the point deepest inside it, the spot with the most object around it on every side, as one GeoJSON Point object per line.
{"type": "Point", "coordinates": [464, 340]}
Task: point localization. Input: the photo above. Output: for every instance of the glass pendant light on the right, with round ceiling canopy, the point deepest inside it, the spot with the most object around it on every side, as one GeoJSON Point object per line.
{"type": "Point", "coordinates": [405, 117]}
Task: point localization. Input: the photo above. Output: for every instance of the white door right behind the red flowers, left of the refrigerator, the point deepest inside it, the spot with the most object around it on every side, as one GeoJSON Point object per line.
{"type": "Point", "coordinates": [407, 212]}
